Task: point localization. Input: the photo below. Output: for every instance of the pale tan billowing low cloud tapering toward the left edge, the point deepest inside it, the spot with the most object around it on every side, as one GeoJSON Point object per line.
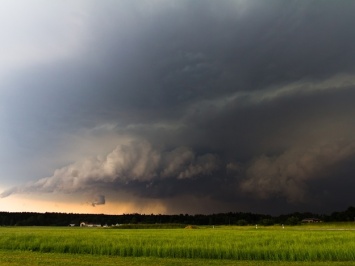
{"type": "Point", "coordinates": [135, 160]}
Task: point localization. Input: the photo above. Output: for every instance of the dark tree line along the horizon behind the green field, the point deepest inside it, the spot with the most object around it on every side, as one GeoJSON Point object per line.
{"type": "Point", "coordinates": [230, 218]}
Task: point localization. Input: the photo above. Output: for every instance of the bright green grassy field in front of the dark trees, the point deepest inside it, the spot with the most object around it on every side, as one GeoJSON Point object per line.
{"type": "Point", "coordinates": [321, 244]}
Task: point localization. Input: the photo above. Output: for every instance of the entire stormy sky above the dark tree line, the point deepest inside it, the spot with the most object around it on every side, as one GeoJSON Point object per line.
{"type": "Point", "coordinates": [177, 106]}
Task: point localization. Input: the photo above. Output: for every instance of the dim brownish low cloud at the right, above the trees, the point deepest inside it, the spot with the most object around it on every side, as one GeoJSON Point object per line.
{"type": "Point", "coordinates": [287, 174]}
